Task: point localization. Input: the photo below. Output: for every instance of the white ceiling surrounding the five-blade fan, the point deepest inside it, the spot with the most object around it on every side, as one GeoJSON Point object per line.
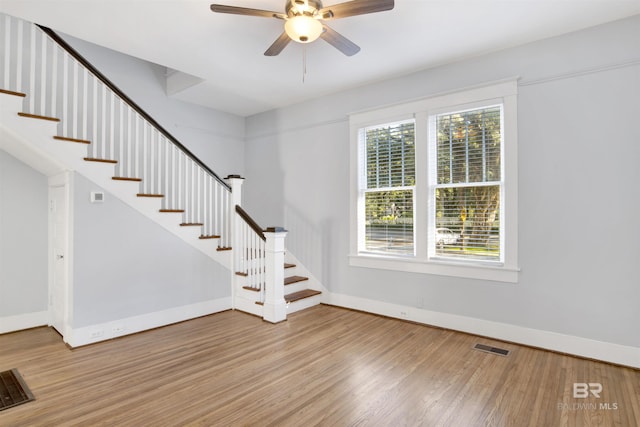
{"type": "Point", "coordinates": [226, 51]}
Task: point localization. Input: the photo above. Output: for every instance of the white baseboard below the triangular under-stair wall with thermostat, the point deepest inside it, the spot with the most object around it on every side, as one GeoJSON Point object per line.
{"type": "Point", "coordinates": [131, 325]}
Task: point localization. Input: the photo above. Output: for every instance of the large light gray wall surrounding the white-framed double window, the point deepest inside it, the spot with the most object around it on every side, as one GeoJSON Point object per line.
{"type": "Point", "coordinates": [578, 152]}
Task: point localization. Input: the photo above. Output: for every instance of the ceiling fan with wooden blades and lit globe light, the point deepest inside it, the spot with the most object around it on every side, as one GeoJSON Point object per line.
{"type": "Point", "coordinates": [302, 21]}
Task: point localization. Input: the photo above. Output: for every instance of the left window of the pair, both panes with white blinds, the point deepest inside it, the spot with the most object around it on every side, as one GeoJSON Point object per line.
{"type": "Point", "coordinates": [387, 187]}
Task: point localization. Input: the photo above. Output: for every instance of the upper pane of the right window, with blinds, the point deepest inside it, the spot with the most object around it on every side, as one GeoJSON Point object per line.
{"type": "Point", "coordinates": [468, 146]}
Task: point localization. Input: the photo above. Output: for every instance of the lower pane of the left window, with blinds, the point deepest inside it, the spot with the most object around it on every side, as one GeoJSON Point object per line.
{"type": "Point", "coordinates": [389, 221]}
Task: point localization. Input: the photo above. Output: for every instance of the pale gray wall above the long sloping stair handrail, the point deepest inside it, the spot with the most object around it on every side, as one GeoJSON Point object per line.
{"type": "Point", "coordinates": [215, 137]}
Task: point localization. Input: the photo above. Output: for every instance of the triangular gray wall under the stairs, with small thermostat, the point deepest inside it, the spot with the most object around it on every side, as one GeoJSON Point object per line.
{"type": "Point", "coordinates": [126, 265]}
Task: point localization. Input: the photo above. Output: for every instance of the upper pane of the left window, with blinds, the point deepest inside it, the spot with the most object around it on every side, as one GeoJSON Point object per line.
{"type": "Point", "coordinates": [390, 155]}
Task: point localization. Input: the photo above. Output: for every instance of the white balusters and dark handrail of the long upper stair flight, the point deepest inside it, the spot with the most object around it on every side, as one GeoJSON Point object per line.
{"type": "Point", "coordinates": [60, 84]}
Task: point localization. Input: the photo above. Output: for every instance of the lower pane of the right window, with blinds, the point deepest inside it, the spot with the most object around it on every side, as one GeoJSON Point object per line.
{"type": "Point", "coordinates": [468, 222]}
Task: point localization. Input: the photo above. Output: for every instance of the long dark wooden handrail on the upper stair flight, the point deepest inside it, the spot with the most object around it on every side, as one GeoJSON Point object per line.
{"type": "Point", "coordinates": [75, 54]}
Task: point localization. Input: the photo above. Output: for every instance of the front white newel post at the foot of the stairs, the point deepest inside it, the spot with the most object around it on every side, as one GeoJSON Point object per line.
{"type": "Point", "coordinates": [275, 307]}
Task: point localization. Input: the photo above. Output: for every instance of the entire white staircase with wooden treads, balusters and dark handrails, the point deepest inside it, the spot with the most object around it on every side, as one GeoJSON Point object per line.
{"type": "Point", "coordinates": [56, 109]}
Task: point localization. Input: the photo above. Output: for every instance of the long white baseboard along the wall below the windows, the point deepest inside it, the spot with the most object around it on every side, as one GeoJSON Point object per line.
{"type": "Point", "coordinates": [578, 346]}
